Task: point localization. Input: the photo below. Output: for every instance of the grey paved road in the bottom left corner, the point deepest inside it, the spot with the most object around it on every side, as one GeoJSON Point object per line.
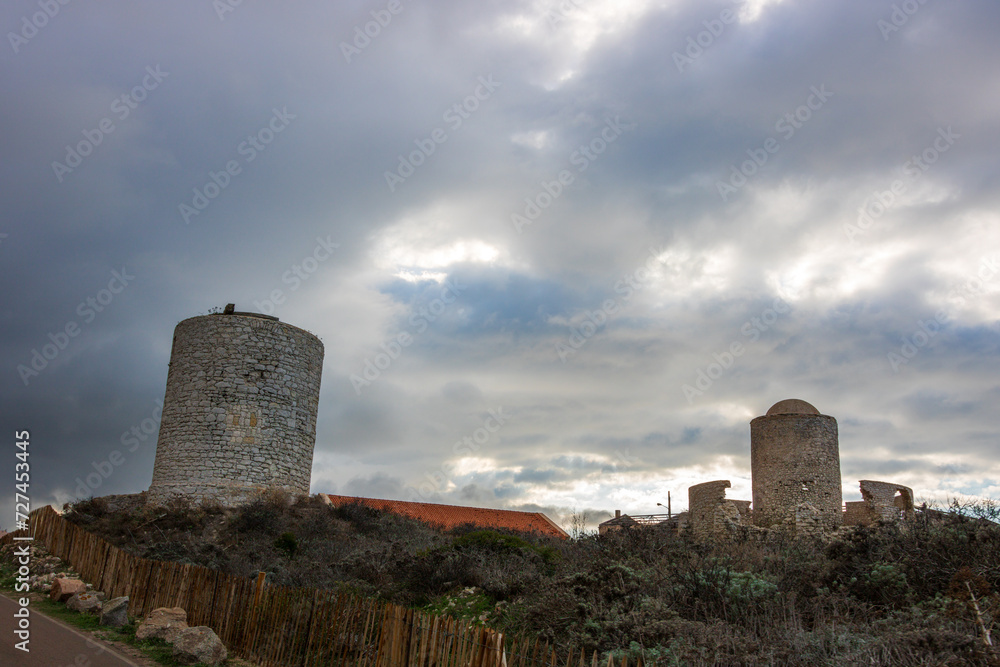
{"type": "Point", "coordinates": [52, 644]}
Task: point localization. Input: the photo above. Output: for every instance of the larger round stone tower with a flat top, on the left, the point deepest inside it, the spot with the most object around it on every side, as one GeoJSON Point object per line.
{"type": "Point", "coordinates": [239, 414]}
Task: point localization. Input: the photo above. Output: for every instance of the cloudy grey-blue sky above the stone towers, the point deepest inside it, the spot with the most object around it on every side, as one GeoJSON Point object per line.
{"type": "Point", "coordinates": [627, 226]}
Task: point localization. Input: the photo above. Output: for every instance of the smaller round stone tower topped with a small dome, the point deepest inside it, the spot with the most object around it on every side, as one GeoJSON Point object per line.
{"type": "Point", "coordinates": [795, 465]}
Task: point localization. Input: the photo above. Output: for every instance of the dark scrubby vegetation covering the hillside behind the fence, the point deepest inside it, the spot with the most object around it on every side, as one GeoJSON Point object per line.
{"type": "Point", "coordinates": [924, 593]}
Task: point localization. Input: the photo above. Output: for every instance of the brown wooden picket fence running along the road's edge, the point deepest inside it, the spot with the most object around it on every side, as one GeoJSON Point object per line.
{"type": "Point", "coordinates": [277, 626]}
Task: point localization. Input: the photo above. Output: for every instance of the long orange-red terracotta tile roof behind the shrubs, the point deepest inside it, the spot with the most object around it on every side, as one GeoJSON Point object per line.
{"type": "Point", "coordinates": [452, 516]}
